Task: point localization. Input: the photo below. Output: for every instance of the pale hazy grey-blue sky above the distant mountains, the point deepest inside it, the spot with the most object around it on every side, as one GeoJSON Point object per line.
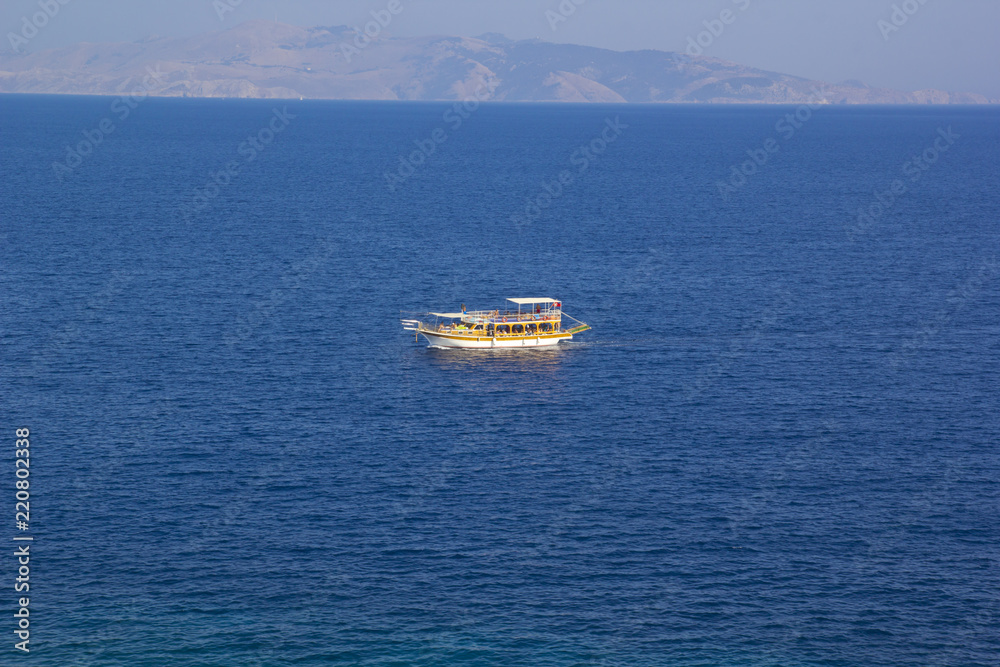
{"type": "Point", "coordinates": [945, 44]}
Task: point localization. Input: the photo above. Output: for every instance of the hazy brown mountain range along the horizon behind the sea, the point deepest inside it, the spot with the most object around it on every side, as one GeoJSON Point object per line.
{"type": "Point", "coordinates": [263, 59]}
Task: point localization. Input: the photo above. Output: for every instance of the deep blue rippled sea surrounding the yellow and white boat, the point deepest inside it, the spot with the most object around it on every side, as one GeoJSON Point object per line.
{"type": "Point", "coordinates": [778, 445]}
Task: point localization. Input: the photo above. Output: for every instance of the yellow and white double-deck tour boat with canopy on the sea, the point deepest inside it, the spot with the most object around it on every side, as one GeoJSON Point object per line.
{"type": "Point", "coordinates": [535, 323]}
